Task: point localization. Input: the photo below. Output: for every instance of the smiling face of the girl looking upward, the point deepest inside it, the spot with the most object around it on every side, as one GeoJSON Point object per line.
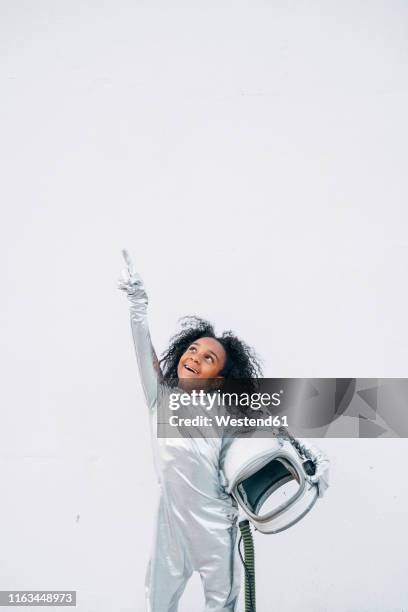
{"type": "Point", "coordinates": [204, 358]}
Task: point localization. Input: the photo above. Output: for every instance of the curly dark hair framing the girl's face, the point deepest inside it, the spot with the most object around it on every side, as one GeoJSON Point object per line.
{"type": "Point", "coordinates": [242, 361]}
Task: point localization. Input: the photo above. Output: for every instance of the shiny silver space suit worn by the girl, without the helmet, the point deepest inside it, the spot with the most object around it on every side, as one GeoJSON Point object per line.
{"type": "Point", "coordinates": [196, 524]}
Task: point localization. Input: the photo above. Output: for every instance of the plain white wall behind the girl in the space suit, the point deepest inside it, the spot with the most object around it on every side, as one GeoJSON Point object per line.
{"type": "Point", "coordinates": [252, 157]}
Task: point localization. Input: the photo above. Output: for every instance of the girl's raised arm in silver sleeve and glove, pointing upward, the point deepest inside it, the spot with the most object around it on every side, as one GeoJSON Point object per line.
{"type": "Point", "coordinates": [150, 373]}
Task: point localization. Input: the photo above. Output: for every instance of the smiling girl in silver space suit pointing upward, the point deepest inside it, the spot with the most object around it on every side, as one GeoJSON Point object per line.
{"type": "Point", "coordinates": [196, 525]}
